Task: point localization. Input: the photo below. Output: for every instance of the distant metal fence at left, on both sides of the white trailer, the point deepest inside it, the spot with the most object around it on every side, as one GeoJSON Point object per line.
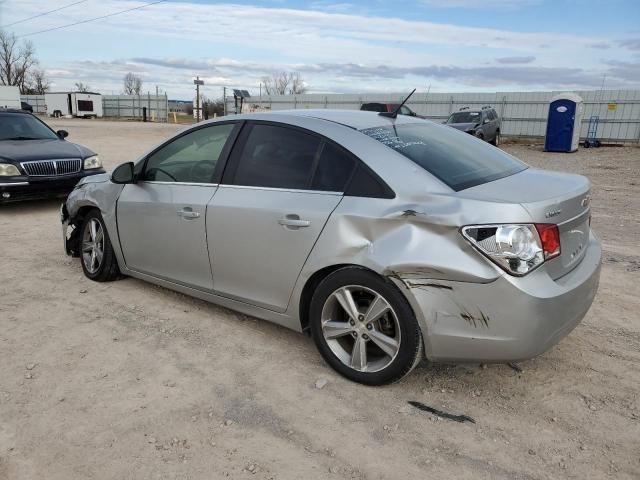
{"type": "Point", "coordinates": [119, 106]}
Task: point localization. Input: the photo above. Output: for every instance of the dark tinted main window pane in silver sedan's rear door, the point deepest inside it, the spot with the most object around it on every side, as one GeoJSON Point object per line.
{"type": "Point", "coordinates": [277, 157]}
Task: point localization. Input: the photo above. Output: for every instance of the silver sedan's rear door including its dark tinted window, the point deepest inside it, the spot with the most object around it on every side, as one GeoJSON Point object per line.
{"type": "Point", "coordinates": [280, 187]}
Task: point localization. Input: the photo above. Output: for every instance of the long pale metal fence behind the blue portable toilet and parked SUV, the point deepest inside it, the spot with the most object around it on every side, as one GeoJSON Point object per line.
{"type": "Point", "coordinates": [524, 114]}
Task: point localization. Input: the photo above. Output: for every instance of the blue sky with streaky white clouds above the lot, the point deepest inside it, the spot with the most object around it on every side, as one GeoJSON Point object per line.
{"type": "Point", "coordinates": [338, 45]}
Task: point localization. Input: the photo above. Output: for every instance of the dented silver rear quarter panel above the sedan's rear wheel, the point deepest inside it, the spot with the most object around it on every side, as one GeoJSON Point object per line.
{"type": "Point", "coordinates": [416, 244]}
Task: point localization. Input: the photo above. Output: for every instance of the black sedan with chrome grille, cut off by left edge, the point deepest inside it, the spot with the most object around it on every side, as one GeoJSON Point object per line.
{"type": "Point", "coordinates": [36, 162]}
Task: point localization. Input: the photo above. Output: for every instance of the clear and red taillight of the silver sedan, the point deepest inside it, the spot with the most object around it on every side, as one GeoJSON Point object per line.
{"type": "Point", "coordinates": [518, 249]}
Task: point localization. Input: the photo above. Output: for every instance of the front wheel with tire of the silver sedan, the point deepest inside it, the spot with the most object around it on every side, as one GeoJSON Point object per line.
{"type": "Point", "coordinates": [96, 267]}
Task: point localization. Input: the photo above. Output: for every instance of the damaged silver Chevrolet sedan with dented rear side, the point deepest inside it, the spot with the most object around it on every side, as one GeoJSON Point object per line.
{"type": "Point", "coordinates": [387, 239]}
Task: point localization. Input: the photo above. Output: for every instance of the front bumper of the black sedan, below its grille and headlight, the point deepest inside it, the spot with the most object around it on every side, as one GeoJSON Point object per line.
{"type": "Point", "coordinates": [32, 188]}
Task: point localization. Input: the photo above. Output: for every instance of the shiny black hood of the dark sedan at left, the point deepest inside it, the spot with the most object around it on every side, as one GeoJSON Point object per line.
{"type": "Point", "coordinates": [49, 149]}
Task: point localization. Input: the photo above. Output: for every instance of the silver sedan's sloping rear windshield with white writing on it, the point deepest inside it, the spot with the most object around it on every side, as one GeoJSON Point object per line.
{"type": "Point", "coordinates": [456, 158]}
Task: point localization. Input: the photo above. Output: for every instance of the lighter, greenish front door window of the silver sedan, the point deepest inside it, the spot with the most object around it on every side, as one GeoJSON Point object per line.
{"type": "Point", "coordinates": [190, 158]}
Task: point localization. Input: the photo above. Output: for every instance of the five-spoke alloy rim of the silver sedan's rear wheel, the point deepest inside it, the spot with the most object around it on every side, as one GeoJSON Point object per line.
{"type": "Point", "coordinates": [361, 328]}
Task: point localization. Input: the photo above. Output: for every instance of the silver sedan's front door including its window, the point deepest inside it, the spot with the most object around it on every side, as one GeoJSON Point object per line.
{"type": "Point", "coordinates": [161, 218]}
